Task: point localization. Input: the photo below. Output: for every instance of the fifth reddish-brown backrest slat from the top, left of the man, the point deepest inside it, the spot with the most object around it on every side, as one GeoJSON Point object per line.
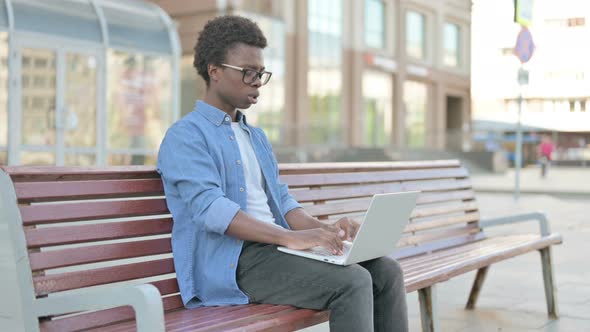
{"type": "Point", "coordinates": [98, 253]}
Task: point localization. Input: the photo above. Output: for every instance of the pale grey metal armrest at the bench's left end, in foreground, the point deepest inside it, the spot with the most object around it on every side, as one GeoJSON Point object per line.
{"type": "Point", "coordinates": [145, 300]}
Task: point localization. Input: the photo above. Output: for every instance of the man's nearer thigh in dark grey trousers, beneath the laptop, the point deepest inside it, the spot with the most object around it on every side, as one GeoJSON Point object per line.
{"type": "Point", "coordinates": [267, 275]}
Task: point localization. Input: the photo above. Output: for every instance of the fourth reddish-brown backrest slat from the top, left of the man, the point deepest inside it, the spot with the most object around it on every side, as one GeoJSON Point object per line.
{"type": "Point", "coordinates": [51, 236]}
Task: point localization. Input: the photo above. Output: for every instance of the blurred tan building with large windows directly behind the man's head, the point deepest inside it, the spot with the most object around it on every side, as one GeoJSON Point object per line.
{"type": "Point", "coordinates": [371, 73]}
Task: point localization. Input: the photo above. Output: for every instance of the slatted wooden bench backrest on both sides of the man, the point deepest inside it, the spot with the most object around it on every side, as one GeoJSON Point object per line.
{"type": "Point", "coordinates": [87, 227]}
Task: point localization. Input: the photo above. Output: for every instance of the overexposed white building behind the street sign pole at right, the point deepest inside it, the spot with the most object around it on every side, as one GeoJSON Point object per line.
{"type": "Point", "coordinates": [557, 96]}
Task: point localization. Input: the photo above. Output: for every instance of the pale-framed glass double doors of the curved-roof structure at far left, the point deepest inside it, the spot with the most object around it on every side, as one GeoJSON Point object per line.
{"type": "Point", "coordinates": [57, 105]}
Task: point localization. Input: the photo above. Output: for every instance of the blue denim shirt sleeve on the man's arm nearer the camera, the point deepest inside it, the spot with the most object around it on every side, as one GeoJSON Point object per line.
{"type": "Point", "coordinates": [188, 170]}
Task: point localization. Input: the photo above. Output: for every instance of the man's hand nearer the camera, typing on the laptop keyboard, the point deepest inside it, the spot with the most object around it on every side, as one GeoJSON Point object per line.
{"type": "Point", "coordinates": [327, 237]}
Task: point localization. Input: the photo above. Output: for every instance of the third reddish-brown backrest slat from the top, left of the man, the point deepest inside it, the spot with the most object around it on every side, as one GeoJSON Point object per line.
{"type": "Point", "coordinates": [79, 211]}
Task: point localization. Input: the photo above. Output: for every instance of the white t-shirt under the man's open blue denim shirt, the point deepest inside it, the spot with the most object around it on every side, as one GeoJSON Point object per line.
{"type": "Point", "coordinates": [257, 200]}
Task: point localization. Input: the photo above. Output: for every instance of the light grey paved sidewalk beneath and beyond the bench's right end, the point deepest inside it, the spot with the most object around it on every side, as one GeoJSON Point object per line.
{"type": "Point", "coordinates": [513, 298]}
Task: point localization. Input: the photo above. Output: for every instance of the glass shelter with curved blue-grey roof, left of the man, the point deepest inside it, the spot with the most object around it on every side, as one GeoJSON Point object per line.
{"type": "Point", "coordinates": [86, 82]}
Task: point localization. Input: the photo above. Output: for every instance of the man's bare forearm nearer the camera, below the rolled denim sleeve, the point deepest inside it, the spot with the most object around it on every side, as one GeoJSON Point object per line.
{"type": "Point", "coordinates": [246, 227]}
